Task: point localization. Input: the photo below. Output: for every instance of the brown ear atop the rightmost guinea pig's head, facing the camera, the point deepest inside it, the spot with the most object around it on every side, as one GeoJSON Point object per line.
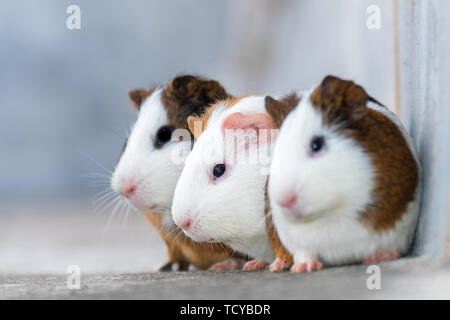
{"type": "Point", "coordinates": [340, 100]}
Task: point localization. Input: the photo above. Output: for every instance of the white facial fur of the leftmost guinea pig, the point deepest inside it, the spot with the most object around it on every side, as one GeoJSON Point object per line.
{"type": "Point", "coordinates": [150, 168]}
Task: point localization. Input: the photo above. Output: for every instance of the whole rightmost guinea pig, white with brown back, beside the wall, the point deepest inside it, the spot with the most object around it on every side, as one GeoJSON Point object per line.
{"type": "Point", "coordinates": [345, 179]}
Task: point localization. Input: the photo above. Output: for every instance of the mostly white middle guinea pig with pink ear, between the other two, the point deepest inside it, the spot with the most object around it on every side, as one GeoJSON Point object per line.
{"type": "Point", "coordinates": [220, 193]}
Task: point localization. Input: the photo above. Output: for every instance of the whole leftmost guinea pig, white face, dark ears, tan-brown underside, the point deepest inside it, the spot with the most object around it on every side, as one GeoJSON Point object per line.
{"type": "Point", "coordinates": [146, 173]}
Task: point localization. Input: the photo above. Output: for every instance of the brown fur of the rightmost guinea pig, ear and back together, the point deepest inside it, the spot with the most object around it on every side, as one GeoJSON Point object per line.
{"type": "Point", "coordinates": [343, 104]}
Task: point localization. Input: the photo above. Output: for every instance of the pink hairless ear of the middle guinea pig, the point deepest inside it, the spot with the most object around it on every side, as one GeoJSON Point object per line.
{"type": "Point", "coordinates": [256, 121]}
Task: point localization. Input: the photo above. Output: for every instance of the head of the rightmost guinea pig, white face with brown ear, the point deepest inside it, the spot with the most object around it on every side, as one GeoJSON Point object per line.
{"type": "Point", "coordinates": [317, 166]}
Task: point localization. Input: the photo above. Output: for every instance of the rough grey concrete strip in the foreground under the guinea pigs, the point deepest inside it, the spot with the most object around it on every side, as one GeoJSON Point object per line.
{"type": "Point", "coordinates": [403, 279]}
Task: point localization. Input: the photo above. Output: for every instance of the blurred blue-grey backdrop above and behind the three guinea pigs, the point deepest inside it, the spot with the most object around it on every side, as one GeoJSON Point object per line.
{"type": "Point", "coordinates": [64, 92]}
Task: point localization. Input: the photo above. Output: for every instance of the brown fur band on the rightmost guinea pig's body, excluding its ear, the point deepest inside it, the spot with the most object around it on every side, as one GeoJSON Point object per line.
{"type": "Point", "coordinates": [397, 171]}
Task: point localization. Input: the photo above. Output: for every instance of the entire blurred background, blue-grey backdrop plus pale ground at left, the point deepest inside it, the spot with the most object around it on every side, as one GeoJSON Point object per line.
{"type": "Point", "coordinates": [64, 109]}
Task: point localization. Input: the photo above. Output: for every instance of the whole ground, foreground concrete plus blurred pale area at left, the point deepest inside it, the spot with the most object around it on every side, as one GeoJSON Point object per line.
{"type": "Point", "coordinates": [118, 261]}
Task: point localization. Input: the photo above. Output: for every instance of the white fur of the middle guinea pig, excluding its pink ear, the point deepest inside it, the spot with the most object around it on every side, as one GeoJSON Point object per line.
{"type": "Point", "coordinates": [230, 209]}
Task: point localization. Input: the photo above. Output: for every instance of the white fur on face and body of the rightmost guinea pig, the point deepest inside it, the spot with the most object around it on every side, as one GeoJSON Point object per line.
{"type": "Point", "coordinates": [333, 188]}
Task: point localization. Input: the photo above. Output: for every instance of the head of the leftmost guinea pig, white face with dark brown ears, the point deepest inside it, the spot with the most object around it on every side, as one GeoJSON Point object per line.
{"type": "Point", "coordinates": [153, 156]}
